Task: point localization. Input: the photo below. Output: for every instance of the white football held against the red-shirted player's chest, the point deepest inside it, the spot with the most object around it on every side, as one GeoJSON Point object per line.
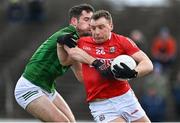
{"type": "Point", "coordinates": [128, 60]}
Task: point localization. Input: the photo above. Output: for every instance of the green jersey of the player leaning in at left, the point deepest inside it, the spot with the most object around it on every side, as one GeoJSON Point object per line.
{"type": "Point", "coordinates": [44, 66]}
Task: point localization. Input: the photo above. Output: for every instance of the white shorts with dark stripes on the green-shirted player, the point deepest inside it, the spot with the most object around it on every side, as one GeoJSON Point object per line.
{"type": "Point", "coordinates": [25, 92]}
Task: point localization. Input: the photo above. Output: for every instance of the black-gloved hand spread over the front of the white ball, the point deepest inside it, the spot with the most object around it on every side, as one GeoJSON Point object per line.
{"type": "Point", "coordinates": [124, 72]}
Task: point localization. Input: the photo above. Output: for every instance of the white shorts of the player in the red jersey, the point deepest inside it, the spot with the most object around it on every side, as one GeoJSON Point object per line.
{"type": "Point", "coordinates": [126, 106]}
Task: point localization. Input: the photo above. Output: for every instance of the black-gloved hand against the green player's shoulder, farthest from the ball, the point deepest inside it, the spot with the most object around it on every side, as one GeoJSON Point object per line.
{"type": "Point", "coordinates": [67, 40]}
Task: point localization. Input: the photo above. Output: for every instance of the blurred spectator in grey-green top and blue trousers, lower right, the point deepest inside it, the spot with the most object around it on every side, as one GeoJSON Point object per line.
{"type": "Point", "coordinates": [155, 94]}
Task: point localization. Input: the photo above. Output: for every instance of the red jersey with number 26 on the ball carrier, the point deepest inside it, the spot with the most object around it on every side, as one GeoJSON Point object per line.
{"type": "Point", "coordinates": [96, 85]}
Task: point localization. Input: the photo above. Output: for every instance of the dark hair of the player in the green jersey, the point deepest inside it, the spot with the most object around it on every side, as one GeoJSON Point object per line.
{"type": "Point", "coordinates": [76, 11]}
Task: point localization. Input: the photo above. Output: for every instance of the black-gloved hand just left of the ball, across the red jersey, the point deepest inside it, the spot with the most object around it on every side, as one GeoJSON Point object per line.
{"type": "Point", "coordinates": [104, 69]}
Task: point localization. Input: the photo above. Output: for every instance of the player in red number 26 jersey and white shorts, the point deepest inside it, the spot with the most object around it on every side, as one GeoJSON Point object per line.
{"type": "Point", "coordinates": [110, 100]}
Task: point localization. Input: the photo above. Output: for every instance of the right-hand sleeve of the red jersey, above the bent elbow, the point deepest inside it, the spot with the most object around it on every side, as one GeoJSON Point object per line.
{"type": "Point", "coordinates": [129, 46]}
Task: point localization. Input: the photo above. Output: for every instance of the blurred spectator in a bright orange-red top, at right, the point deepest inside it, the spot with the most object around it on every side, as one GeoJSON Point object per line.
{"type": "Point", "coordinates": [164, 48]}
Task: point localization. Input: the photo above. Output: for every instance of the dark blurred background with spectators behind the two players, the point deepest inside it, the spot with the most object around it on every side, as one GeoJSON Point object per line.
{"type": "Point", "coordinates": [152, 24]}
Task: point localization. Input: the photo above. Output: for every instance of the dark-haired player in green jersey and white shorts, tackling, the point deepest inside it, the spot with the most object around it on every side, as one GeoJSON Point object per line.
{"type": "Point", "coordinates": [35, 90]}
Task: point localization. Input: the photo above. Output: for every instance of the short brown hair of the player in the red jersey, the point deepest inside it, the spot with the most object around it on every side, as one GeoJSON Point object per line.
{"type": "Point", "coordinates": [102, 13]}
